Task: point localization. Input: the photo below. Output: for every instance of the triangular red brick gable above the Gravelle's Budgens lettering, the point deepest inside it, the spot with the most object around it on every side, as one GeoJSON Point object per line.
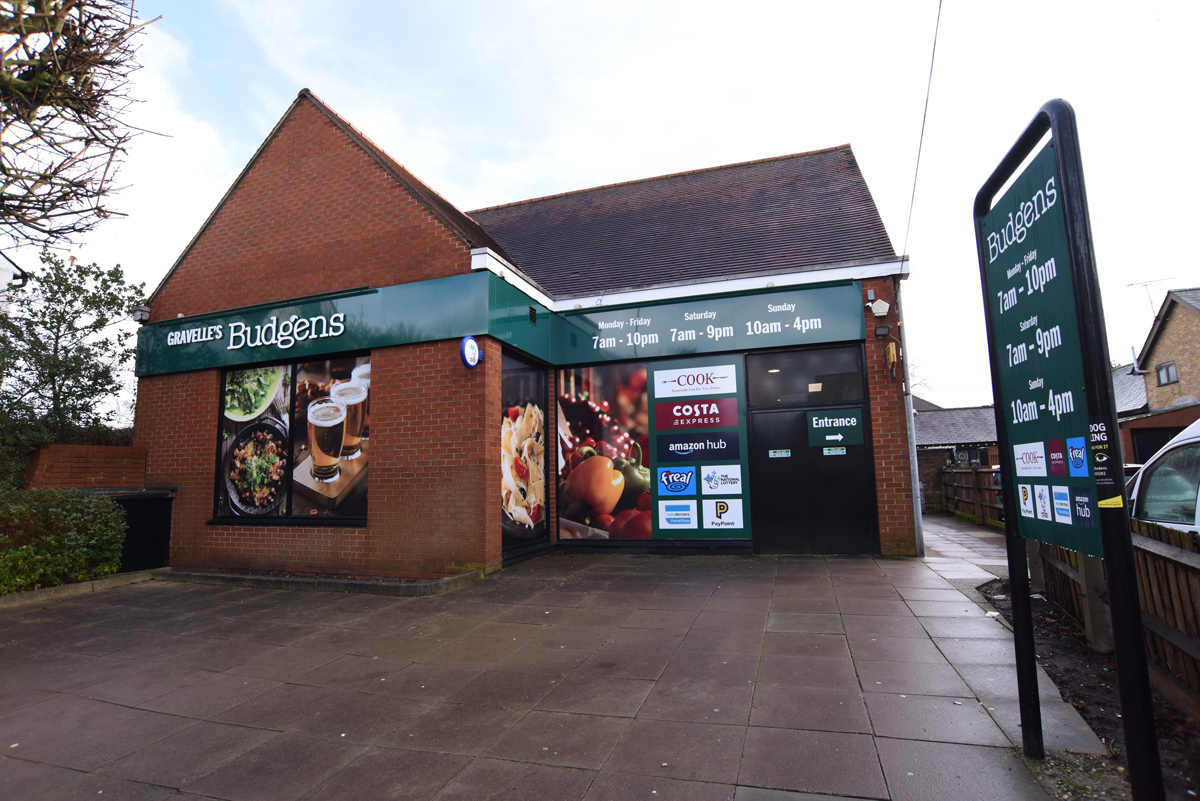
{"type": "Point", "coordinates": [315, 214]}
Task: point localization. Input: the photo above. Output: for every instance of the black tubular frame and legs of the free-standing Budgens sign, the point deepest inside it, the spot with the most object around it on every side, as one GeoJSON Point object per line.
{"type": "Point", "coordinates": [1145, 772]}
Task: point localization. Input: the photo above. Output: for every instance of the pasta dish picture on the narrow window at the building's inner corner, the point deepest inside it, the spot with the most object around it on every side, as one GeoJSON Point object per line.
{"type": "Point", "coordinates": [524, 483]}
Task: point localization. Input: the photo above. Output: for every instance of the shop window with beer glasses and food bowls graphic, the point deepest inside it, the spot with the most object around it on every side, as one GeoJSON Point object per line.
{"type": "Point", "coordinates": [295, 442]}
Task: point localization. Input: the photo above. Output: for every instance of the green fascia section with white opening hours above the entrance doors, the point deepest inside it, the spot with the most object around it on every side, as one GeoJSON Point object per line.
{"type": "Point", "coordinates": [771, 320]}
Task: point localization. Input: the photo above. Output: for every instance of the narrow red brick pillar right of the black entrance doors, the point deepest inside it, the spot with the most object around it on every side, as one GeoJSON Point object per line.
{"type": "Point", "coordinates": [890, 438]}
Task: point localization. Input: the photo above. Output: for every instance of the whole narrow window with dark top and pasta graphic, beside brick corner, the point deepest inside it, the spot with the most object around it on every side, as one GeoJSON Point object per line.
{"type": "Point", "coordinates": [524, 433]}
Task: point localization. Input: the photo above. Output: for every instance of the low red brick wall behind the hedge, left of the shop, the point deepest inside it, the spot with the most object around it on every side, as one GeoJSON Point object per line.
{"type": "Point", "coordinates": [88, 467]}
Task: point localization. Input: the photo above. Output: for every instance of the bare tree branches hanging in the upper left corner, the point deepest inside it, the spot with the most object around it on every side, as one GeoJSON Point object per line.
{"type": "Point", "coordinates": [64, 85]}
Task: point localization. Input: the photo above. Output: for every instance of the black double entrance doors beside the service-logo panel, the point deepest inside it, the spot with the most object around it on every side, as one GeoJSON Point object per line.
{"type": "Point", "coordinates": [808, 499]}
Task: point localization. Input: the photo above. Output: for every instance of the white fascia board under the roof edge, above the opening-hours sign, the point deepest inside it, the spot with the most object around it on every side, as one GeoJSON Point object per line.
{"type": "Point", "coordinates": [487, 260]}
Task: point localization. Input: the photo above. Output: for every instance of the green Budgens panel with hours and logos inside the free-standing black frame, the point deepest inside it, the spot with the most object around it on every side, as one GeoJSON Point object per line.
{"type": "Point", "coordinates": [1057, 456]}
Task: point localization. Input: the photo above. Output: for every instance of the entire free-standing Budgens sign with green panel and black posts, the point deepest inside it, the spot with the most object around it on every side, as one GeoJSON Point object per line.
{"type": "Point", "coordinates": [1055, 414]}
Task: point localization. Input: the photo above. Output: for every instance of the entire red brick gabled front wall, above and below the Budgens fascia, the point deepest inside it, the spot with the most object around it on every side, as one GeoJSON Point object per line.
{"type": "Point", "coordinates": [316, 214]}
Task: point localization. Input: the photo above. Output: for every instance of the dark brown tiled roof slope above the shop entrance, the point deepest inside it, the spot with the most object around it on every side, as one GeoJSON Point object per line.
{"type": "Point", "coordinates": [791, 214]}
